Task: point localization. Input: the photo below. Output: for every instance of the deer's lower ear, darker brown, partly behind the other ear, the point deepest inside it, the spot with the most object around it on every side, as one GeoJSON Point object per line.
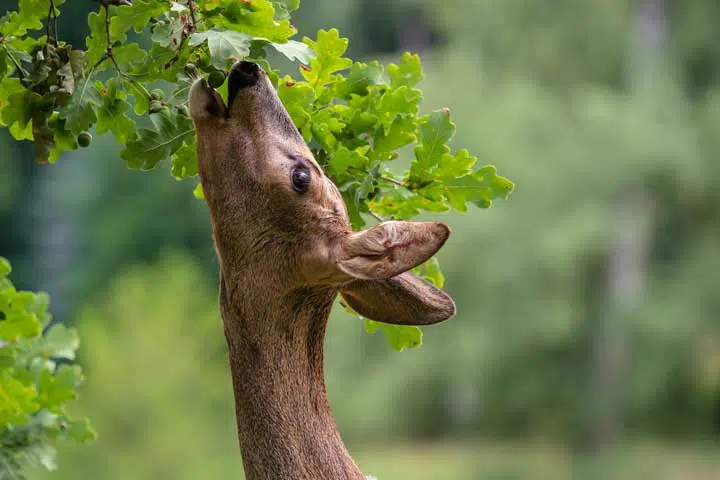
{"type": "Point", "coordinates": [401, 300]}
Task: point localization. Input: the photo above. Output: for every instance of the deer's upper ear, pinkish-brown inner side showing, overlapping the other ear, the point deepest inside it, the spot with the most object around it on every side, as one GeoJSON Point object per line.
{"type": "Point", "coordinates": [391, 248]}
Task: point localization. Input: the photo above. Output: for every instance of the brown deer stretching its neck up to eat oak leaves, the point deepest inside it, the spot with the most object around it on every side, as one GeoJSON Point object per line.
{"type": "Point", "coordinates": [285, 251]}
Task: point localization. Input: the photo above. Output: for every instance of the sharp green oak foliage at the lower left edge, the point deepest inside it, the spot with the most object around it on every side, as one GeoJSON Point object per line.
{"type": "Point", "coordinates": [37, 381]}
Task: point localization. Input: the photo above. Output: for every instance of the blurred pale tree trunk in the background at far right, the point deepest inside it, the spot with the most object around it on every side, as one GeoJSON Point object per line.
{"type": "Point", "coordinates": [626, 273]}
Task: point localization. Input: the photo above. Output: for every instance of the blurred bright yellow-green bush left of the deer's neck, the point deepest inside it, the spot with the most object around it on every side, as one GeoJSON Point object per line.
{"type": "Point", "coordinates": [157, 379]}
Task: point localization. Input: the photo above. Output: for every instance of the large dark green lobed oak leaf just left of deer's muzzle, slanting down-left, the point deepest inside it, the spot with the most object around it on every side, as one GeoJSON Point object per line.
{"type": "Point", "coordinates": [151, 146]}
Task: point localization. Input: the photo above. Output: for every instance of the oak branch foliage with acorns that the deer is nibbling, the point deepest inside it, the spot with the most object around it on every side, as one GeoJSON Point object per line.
{"type": "Point", "coordinates": [356, 123]}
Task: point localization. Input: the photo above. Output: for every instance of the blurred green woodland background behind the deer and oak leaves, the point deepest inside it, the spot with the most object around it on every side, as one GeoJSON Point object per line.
{"type": "Point", "coordinates": [587, 339]}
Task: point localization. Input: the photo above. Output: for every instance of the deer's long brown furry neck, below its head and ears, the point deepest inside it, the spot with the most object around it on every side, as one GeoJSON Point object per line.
{"type": "Point", "coordinates": [285, 425]}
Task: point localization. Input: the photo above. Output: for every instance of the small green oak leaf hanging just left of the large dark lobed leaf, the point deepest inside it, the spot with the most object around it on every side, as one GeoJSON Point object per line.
{"type": "Point", "coordinates": [113, 110]}
